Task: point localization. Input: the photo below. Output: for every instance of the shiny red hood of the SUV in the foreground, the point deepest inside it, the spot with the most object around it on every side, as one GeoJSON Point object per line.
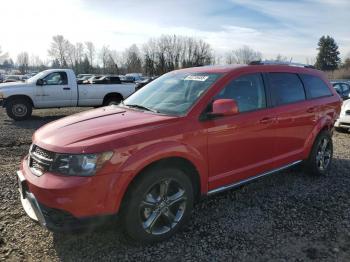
{"type": "Point", "coordinates": [96, 130]}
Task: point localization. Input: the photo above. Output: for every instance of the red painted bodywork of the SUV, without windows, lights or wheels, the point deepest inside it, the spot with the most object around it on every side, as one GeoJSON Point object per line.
{"type": "Point", "coordinates": [223, 150]}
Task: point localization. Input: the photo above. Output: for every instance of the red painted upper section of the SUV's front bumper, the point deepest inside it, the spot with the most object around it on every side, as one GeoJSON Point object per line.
{"type": "Point", "coordinates": [80, 196]}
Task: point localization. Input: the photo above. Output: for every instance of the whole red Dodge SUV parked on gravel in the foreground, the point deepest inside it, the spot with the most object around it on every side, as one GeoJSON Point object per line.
{"type": "Point", "coordinates": [187, 134]}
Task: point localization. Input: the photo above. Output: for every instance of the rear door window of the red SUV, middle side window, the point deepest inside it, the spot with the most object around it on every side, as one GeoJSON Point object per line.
{"type": "Point", "coordinates": [286, 88]}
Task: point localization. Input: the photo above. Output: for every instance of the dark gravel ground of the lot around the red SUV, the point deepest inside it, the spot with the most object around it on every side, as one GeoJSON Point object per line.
{"type": "Point", "coordinates": [289, 216]}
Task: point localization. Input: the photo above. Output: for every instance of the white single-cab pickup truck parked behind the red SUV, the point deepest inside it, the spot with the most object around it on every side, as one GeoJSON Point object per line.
{"type": "Point", "coordinates": [58, 88]}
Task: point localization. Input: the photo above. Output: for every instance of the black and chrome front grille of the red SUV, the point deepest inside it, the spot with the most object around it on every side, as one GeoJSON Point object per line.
{"type": "Point", "coordinates": [40, 160]}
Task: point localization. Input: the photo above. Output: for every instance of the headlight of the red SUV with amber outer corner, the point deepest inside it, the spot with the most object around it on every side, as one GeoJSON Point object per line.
{"type": "Point", "coordinates": [80, 165]}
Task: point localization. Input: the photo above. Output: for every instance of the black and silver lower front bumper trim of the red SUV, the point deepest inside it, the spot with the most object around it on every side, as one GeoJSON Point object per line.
{"type": "Point", "coordinates": [54, 219]}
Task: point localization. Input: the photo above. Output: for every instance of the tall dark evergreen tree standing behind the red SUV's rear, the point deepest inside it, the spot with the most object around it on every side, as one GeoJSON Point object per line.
{"type": "Point", "coordinates": [328, 55]}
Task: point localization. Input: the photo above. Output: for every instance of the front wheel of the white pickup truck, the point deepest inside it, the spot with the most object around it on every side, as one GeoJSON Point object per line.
{"type": "Point", "coordinates": [19, 109]}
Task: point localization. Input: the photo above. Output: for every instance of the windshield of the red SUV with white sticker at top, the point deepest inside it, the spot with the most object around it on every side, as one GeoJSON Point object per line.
{"type": "Point", "coordinates": [173, 93]}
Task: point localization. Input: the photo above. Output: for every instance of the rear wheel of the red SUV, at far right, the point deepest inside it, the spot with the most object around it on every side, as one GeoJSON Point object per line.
{"type": "Point", "coordinates": [320, 158]}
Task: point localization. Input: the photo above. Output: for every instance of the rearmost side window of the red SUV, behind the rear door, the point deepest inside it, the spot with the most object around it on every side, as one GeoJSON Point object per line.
{"type": "Point", "coordinates": [315, 86]}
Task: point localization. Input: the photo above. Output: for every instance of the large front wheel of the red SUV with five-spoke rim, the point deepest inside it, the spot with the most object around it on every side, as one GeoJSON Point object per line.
{"type": "Point", "coordinates": [157, 206]}
